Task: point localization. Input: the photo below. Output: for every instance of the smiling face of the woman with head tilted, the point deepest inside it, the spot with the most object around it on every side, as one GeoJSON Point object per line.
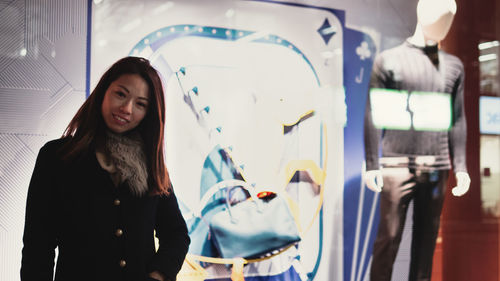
{"type": "Point", "coordinates": [125, 103]}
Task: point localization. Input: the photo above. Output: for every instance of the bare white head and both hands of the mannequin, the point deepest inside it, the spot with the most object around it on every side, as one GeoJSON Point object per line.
{"type": "Point", "coordinates": [434, 22]}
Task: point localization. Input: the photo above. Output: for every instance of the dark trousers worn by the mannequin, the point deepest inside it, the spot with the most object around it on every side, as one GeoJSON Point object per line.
{"type": "Point", "coordinates": [401, 185]}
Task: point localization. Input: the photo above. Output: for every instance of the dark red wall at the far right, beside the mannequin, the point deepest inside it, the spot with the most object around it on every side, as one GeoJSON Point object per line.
{"type": "Point", "coordinates": [470, 242]}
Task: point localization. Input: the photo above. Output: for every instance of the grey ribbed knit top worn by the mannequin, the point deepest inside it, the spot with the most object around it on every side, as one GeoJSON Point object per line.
{"type": "Point", "coordinates": [408, 75]}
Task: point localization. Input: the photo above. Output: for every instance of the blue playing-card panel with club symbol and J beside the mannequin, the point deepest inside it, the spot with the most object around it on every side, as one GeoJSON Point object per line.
{"type": "Point", "coordinates": [359, 52]}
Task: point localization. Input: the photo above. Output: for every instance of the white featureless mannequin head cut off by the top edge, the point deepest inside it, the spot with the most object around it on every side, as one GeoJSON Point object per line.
{"type": "Point", "coordinates": [434, 21]}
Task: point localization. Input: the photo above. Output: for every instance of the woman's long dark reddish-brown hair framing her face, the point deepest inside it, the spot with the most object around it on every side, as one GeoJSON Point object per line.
{"type": "Point", "coordinates": [88, 122]}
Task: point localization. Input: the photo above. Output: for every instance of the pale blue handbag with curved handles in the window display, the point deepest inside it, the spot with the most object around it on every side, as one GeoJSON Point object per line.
{"type": "Point", "coordinates": [254, 227]}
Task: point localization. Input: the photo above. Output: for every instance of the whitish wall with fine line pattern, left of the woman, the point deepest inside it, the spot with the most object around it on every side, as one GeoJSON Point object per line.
{"type": "Point", "coordinates": [42, 78]}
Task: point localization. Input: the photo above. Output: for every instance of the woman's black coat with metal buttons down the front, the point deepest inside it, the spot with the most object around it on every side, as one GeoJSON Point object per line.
{"type": "Point", "coordinates": [102, 232]}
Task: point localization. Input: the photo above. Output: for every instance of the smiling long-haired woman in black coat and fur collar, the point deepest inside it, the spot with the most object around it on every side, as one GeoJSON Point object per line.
{"type": "Point", "coordinates": [100, 192]}
